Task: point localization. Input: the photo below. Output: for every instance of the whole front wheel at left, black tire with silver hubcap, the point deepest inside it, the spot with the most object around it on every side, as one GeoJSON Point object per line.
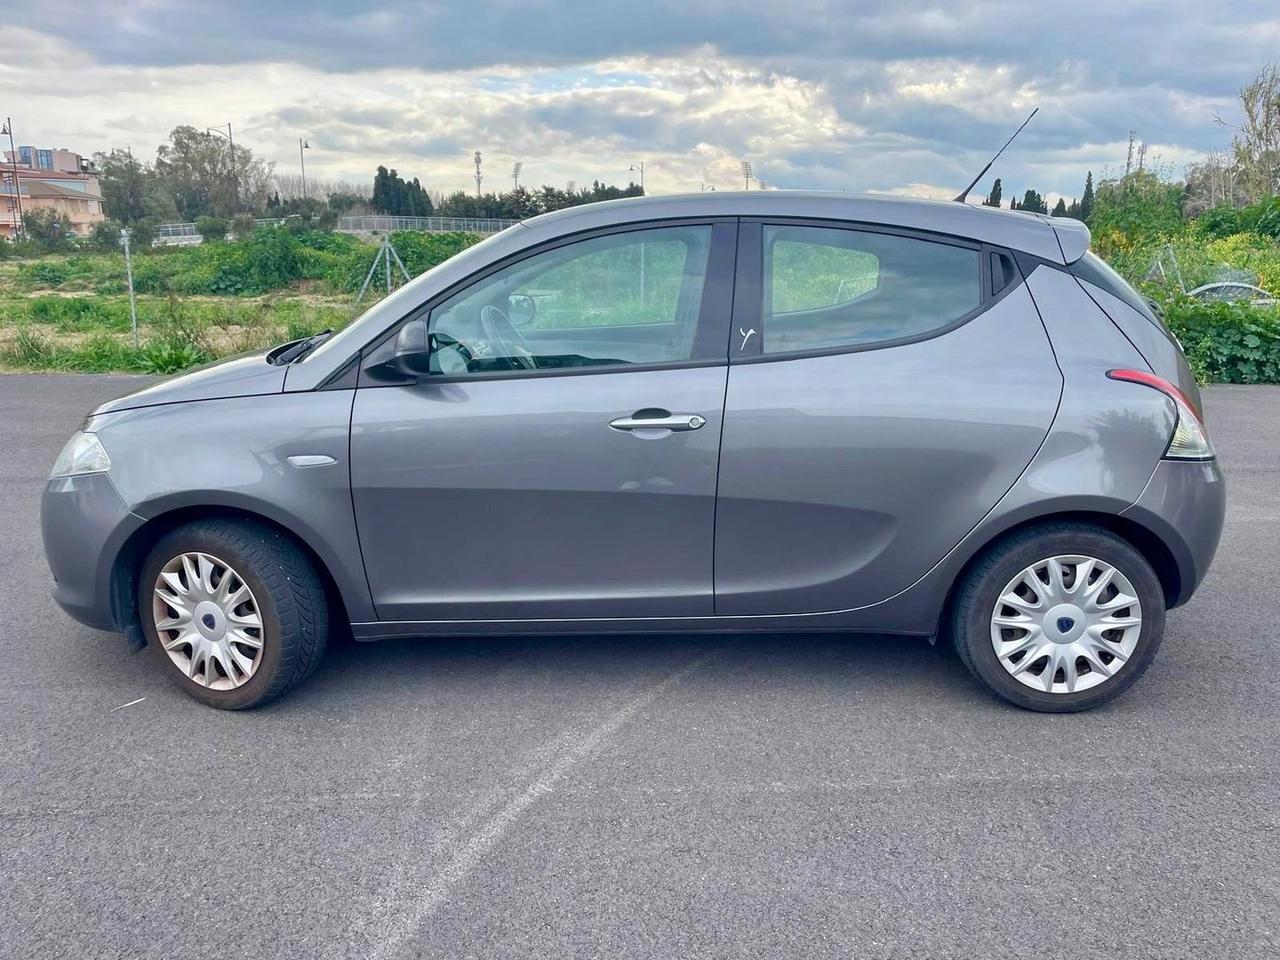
{"type": "Point", "coordinates": [234, 611]}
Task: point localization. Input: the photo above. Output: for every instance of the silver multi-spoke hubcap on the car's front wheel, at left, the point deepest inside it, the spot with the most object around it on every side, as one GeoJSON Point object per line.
{"type": "Point", "coordinates": [208, 621]}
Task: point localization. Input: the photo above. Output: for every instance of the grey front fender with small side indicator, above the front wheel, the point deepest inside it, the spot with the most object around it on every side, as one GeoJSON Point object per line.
{"type": "Point", "coordinates": [235, 454]}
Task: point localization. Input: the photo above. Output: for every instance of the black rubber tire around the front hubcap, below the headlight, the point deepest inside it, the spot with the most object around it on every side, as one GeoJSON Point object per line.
{"type": "Point", "coordinates": [290, 596]}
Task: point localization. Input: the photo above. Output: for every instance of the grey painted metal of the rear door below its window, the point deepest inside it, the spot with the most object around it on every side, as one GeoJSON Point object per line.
{"type": "Point", "coordinates": [845, 478]}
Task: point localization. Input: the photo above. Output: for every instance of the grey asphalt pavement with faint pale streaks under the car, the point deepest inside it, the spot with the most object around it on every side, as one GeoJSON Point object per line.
{"type": "Point", "coordinates": [772, 797]}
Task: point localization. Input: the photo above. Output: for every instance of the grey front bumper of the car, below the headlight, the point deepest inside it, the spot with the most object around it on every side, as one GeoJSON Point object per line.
{"type": "Point", "coordinates": [85, 524]}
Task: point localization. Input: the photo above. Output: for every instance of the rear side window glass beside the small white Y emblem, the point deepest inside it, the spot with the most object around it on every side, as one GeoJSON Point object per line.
{"type": "Point", "coordinates": [828, 289]}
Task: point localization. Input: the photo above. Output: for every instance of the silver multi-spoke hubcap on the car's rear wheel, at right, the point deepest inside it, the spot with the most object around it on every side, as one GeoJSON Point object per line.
{"type": "Point", "coordinates": [1067, 624]}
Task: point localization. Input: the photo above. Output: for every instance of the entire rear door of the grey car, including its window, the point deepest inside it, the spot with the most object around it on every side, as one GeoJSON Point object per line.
{"type": "Point", "coordinates": [885, 392]}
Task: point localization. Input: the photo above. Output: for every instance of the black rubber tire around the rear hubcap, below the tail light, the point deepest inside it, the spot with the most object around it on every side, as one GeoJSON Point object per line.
{"type": "Point", "coordinates": [982, 587]}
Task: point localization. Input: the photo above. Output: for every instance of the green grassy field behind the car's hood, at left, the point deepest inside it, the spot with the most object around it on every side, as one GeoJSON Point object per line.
{"type": "Point", "coordinates": [195, 304]}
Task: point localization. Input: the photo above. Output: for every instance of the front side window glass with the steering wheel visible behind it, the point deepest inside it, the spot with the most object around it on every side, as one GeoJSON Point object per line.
{"type": "Point", "coordinates": [616, 300]}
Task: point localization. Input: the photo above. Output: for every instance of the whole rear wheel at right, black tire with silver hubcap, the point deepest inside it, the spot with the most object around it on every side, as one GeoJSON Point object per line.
{"type": "Point", "coordinates": [1060, 619]}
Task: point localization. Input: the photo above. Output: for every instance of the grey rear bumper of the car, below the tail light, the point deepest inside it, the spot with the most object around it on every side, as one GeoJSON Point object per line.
{"type": "Point", "coordinates": [1185, 505]}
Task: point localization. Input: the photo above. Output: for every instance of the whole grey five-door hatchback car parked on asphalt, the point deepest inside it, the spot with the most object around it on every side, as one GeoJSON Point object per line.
{"type": "Point", "coordinates": [772, 412]}
